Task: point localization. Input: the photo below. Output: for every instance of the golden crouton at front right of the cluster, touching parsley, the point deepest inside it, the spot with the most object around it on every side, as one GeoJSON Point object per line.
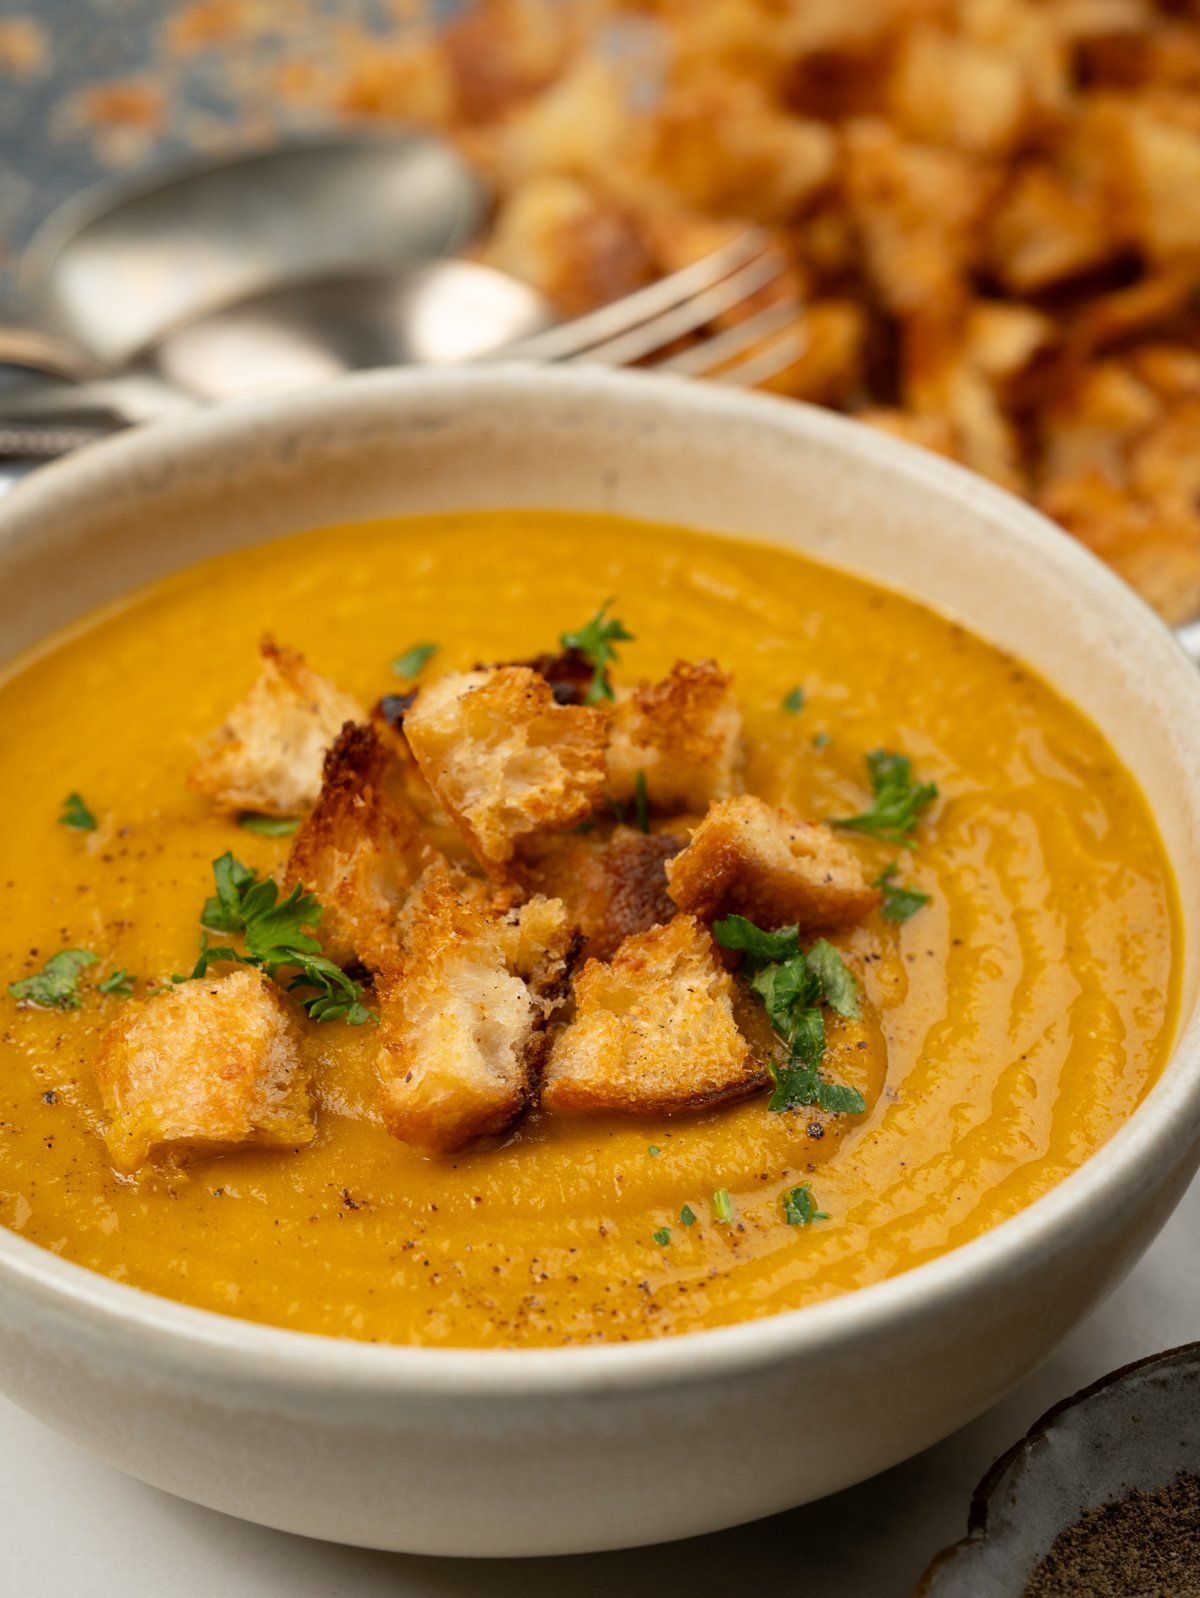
{"type": "Point", "coordinates": [654, 1032]}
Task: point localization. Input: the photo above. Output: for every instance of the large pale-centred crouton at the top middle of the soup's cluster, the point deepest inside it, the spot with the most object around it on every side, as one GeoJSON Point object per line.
{"type": "Point", "coordinates": [506, 760]}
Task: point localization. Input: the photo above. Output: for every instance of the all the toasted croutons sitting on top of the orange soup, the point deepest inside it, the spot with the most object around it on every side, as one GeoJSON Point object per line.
{"type": "Point", "coordinates": [528, 883]}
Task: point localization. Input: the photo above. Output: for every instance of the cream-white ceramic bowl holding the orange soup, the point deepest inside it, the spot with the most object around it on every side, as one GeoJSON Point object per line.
{"type": "Point", "coordinates": [568, 1450]}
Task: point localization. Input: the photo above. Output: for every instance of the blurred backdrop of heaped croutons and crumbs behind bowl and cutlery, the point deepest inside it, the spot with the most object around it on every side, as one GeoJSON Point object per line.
{"type": "Point", "coordinates": [987, 212]}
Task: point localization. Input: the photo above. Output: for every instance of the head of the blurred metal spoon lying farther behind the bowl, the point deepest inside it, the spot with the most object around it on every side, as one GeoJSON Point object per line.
{"type": "Point", "coordinates": [119, 266]}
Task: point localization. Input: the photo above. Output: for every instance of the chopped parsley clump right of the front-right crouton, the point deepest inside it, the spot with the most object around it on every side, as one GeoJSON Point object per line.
{"type": "Point", "coordinates": [793, 988]}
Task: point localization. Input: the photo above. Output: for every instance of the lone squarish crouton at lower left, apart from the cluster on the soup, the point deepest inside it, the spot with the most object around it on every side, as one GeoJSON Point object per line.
{"type": "Point", "coordinates": [207, 1068]}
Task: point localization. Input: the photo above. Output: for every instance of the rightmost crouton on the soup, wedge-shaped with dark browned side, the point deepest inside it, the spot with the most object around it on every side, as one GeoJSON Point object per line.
{"type": "Point", "coordinates": [771, 867]}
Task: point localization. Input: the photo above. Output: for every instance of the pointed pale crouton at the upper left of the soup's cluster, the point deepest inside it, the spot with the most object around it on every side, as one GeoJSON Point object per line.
{"type": "Point", "coordinates": [269, 753]}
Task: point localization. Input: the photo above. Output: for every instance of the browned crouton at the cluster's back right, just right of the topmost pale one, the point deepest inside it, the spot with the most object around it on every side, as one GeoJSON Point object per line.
{"type": "Point", "coordinates": [685, 733]}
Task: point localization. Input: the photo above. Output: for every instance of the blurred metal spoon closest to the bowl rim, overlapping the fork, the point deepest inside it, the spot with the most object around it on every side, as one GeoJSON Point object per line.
{"type": "Point", "coordinates": [292, 338]}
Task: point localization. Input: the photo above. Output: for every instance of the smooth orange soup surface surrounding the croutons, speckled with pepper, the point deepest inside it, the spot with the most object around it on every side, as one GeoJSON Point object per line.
{"type": "Point", "coordinates": [1025, 1011]}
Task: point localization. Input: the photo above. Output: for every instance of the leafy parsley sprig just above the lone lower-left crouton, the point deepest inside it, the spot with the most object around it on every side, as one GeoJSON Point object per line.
{"type": "Point", "coordinates": [276, 940]}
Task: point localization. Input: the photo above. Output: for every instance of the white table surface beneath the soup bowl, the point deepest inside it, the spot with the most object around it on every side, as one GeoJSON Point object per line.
{"type": "Point", "coordinates": [71, 1525]}
